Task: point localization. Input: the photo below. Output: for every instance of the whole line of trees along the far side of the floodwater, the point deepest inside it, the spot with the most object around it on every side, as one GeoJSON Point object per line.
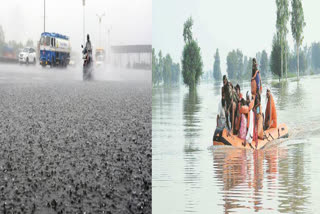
{"type": "Point", "coordinates": [281, 62]}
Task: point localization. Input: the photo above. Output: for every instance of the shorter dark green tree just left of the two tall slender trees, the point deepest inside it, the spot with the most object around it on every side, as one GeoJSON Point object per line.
{"type": "Point", "coordinates": [275, 62]}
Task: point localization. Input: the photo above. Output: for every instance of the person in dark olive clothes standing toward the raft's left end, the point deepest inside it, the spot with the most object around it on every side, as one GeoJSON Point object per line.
{"type": "Point", "coordinates": [231, 99]}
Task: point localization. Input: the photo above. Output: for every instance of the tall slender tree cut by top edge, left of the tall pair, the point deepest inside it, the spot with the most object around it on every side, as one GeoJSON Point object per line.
{"type": "Point", "coordinates": [281, 25]}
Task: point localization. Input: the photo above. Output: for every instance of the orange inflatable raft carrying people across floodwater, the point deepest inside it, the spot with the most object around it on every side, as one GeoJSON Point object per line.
{"type": "Point", "coordinates": [224, 137]}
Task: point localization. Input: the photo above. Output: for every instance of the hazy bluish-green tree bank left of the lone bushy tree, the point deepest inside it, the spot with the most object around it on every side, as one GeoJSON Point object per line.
{"type": "Point", "coordinates": [164, 70]}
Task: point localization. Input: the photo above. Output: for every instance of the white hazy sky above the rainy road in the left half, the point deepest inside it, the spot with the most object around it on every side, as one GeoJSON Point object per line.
{"type": "Point", "coordinates": [130, 20]}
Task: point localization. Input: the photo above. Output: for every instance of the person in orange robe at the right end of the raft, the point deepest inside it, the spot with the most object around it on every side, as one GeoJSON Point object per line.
{"type": "Point", "coordinates": [271, 113]}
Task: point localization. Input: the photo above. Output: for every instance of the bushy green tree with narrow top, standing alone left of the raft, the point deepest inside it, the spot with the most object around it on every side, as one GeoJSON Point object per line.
{"type": "Point", "coordinates": [191, 57]}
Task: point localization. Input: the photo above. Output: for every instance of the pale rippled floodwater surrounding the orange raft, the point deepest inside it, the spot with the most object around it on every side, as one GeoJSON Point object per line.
{"type": "Point", "coordinates": [189, 175]}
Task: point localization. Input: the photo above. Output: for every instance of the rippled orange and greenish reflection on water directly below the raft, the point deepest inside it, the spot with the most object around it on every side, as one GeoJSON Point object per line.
{"type": "Point", "coordinates": [248, 179]}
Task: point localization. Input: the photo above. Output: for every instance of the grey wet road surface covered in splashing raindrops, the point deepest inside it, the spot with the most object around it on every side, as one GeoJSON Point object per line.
{"type": "Point", "coordinates": [68, 146]}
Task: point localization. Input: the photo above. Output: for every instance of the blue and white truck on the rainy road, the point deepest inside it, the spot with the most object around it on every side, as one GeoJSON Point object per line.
{"type": "Point", "coordinates": [54, 49]}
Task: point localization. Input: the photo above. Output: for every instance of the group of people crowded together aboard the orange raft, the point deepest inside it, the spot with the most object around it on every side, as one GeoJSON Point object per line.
{"type": "Point", "coordinates": [243, 116]}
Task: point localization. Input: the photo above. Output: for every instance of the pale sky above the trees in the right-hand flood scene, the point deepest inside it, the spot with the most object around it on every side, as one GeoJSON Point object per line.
{"type": "Point", "coordinates": [229, 24]}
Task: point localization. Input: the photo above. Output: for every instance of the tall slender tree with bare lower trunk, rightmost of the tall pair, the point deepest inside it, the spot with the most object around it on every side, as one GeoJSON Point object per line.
{"type": "Point", "coordinates": [297, 25]}
